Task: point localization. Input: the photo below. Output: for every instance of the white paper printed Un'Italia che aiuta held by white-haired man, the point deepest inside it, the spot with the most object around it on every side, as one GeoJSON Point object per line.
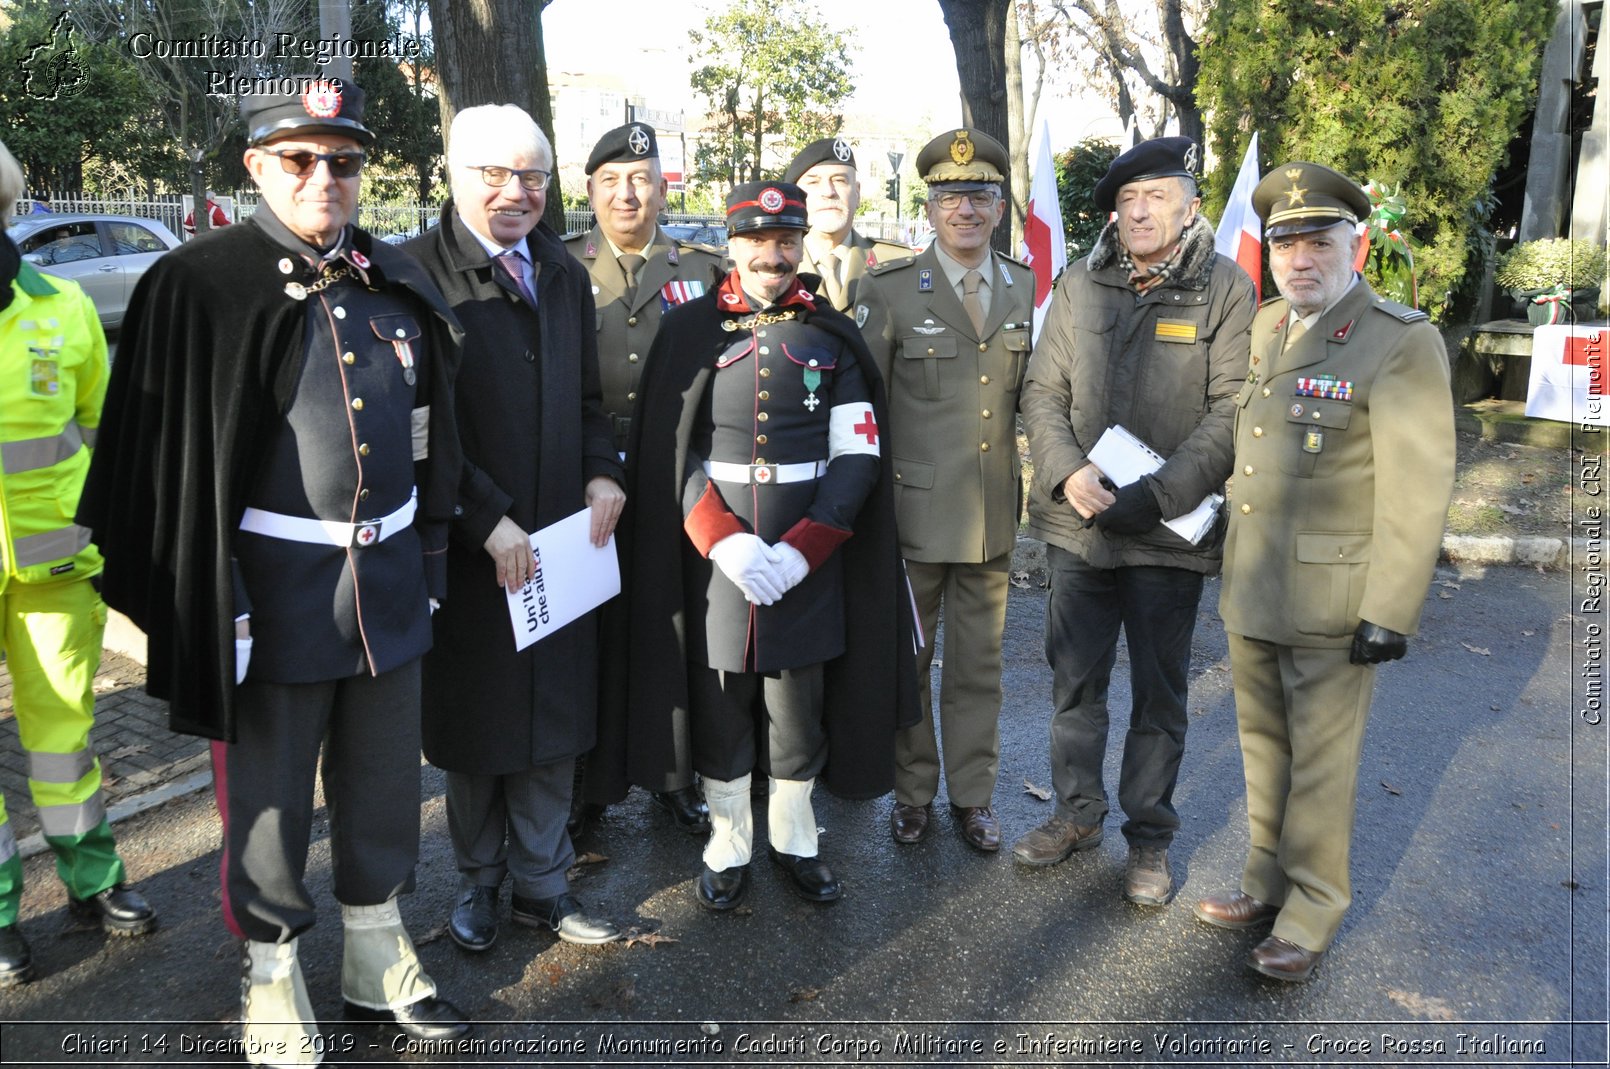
{"type": "Point", "coordinates": [574, 577]}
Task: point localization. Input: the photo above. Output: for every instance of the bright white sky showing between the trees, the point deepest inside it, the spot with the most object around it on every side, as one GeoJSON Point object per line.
{"type": "Point", "coordinates": [906, 70]}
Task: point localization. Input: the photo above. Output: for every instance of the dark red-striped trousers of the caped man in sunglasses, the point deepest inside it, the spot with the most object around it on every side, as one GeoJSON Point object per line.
{"type": "Point", "coordinates": [368, 728]}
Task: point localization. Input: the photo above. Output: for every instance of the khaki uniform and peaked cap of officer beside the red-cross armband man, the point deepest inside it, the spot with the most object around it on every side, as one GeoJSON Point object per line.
{"type": "Point", "coordinates": [952, 418]}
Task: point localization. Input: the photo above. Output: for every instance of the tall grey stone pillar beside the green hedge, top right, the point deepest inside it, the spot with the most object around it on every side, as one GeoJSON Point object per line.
{"type": "Point", "coordinates": [1548, 175]}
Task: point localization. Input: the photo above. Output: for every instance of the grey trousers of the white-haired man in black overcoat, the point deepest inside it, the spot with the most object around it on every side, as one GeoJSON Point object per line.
{"type": "Point", "coordinates": [514, 825]}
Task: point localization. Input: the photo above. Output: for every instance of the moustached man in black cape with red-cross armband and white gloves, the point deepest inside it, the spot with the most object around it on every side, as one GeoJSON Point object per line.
{"type": "Point", "coordinates": [764, 558]}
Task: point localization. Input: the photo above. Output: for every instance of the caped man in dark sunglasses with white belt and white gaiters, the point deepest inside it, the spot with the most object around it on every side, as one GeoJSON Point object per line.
{"type": "Point", "coordinates": [271, 492]}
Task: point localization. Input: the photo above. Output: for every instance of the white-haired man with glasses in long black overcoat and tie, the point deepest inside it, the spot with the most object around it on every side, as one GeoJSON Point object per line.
{"type": "Point", "coordinates": [506, 724]}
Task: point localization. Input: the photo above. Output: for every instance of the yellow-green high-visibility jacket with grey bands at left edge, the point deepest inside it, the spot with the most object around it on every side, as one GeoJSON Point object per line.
{"type": "Point", "coordinates": [52, 386]}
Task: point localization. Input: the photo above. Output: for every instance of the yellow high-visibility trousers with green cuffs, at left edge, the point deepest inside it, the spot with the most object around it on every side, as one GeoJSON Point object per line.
{"type": "Point", "coordinates": [51, 635]}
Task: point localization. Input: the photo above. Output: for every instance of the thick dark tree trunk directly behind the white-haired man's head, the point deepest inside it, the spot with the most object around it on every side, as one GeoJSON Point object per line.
{"type": "Point", "coordinates": [490, 52]}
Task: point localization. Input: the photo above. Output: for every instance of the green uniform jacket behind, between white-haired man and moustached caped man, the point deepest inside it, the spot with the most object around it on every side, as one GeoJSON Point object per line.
{"type": "Point", "coordinates": [674, 273]}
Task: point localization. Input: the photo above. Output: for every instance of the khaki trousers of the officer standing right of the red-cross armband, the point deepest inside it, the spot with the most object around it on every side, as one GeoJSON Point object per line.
{"type": "Point", "coordinates": [973, 598]}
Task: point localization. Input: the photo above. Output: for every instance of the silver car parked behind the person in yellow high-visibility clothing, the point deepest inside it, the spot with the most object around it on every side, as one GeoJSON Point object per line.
{"type": "Point", "coordinates": [105, 255]}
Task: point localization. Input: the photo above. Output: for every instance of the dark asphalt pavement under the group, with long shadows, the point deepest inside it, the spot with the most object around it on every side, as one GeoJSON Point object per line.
{"type": "Point", "coordinates": [1477, 935]}
